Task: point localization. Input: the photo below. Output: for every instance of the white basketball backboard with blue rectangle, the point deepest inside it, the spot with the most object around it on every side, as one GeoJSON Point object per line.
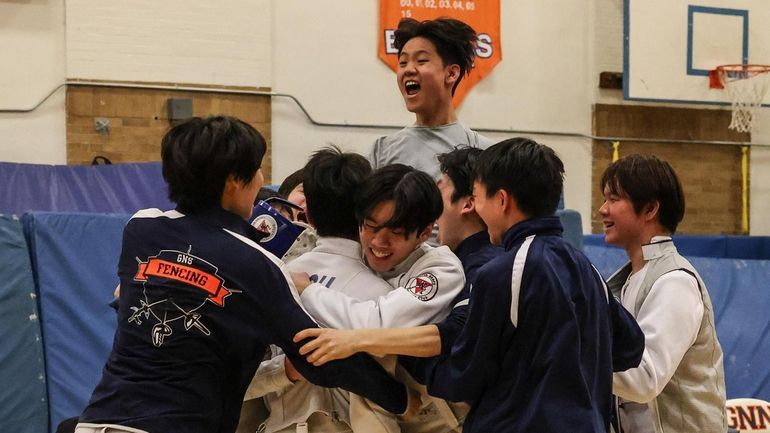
{"type": "Point", "coordinates": [671, 45]}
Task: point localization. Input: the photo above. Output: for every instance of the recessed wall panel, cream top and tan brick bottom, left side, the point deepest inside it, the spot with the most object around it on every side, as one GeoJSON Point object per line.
{"type": "Point", "coordinates": [220, 45]}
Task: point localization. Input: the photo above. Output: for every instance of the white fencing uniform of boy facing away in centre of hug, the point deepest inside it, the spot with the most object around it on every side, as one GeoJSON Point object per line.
{"type": "Point", "coordinates": [336, 264]}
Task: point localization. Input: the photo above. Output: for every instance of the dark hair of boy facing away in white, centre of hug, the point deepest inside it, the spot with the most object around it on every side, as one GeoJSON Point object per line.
{"type": "Point", "coordinates": [331, 179]}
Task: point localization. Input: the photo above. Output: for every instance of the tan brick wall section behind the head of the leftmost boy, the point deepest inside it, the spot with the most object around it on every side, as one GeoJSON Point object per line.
{"type": "Point", "coordinates": [139, 118]}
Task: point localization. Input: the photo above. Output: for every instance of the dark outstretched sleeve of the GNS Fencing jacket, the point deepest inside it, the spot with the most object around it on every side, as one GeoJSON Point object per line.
{"type": "Point", "coordinates": [359, 374]}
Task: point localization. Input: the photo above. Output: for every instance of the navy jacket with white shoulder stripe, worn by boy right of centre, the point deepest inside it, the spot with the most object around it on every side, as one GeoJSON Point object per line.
{"type": "Point", "coordinates": [536, 352]}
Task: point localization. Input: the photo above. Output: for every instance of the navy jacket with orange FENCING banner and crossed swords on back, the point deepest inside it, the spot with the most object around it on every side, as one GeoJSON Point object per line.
{"type": "Point", "coordinates": [199, 303]}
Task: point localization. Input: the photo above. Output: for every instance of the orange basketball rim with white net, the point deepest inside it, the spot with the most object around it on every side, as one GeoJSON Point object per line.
{"type": "Point", "coordinates": [746, 85]}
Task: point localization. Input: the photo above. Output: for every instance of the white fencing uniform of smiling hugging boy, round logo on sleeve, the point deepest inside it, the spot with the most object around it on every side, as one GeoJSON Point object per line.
{"type": "Point", "coordinates": [425, 285]}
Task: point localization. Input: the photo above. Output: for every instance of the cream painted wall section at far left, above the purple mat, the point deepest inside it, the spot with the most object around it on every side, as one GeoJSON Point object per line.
{"type": "Point", "coordinates": [32, 56]}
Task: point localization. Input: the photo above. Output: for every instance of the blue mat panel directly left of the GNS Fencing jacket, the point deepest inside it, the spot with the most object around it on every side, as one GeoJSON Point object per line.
{"type": "Point", "coordinates": [75, 257]}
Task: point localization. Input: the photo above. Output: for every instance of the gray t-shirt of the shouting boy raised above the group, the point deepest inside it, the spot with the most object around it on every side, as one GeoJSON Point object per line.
{"type": "Point", "coordinates": [418, 146]}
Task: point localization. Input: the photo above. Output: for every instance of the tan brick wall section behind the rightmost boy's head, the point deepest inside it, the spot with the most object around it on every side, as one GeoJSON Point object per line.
{"type": "Point", "coordinates": [710, 174]}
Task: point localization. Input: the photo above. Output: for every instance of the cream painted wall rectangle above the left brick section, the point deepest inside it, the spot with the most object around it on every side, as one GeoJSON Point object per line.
{"type": "Point", "coordinates": [175, 41]}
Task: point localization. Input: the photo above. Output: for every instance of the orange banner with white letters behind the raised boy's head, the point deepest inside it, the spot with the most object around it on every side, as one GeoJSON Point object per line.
{"type": "Point", "coordinates": [482, 15]}
